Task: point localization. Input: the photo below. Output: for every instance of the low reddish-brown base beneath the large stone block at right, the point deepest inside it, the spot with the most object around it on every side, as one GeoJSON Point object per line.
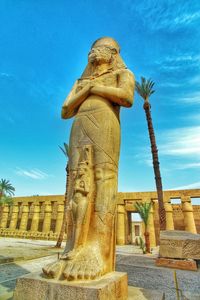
{"type": "Point", "coordinates": [177, 264]}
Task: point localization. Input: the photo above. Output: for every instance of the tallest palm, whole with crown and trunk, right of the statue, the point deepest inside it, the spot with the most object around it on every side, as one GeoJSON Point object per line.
{"type": "Point", "coordinates": [145, 90]}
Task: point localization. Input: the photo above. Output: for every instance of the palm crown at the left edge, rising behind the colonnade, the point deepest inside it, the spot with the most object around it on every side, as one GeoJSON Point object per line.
{"type": "Point", "coordinates": [6, 192]}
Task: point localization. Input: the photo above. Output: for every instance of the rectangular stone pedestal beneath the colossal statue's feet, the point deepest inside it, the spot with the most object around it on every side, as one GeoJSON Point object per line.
{"type": "Point", "coordinates": [112, 286]}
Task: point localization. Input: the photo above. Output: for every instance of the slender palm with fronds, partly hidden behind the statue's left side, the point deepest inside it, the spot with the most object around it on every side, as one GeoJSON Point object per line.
{"type": "Point", "coordinates": [66, 217]}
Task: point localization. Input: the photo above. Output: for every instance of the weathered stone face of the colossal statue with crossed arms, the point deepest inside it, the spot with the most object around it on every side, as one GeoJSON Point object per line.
{"type": "Point", "coordinates": [100, 55]}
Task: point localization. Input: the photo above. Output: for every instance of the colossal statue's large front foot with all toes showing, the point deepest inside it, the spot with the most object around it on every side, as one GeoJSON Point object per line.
{"type": "Point", "coordinates": [86, 265]}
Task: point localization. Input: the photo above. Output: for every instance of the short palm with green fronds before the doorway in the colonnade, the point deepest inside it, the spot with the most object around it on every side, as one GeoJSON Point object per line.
{"type": "Point", "coordinates": [143, 209]}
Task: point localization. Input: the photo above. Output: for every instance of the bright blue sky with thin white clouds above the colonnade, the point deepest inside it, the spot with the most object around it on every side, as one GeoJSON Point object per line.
{"type": "Point", "coordinates": [43, 50]}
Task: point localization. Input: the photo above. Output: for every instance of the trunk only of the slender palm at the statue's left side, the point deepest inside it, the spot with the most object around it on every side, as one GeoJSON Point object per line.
{"type": "Point", "coordinates": [64, 222]}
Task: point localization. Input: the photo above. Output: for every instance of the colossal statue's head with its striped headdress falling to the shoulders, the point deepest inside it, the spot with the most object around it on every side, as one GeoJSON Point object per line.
{"type": "Point", "coordinates": [104, 51]}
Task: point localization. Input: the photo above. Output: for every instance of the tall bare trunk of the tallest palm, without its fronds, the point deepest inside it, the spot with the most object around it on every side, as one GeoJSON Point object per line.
{"type": "Point", "coordinates": [154, 151]}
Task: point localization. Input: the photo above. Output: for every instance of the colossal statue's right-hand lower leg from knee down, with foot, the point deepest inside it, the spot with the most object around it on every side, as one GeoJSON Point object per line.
{"type": "Point", "coordinates": [97, 256]}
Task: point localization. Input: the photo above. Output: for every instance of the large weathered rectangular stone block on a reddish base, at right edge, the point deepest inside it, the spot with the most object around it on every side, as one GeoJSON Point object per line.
{"type": "Point", "coordinates": [179, 244]}
